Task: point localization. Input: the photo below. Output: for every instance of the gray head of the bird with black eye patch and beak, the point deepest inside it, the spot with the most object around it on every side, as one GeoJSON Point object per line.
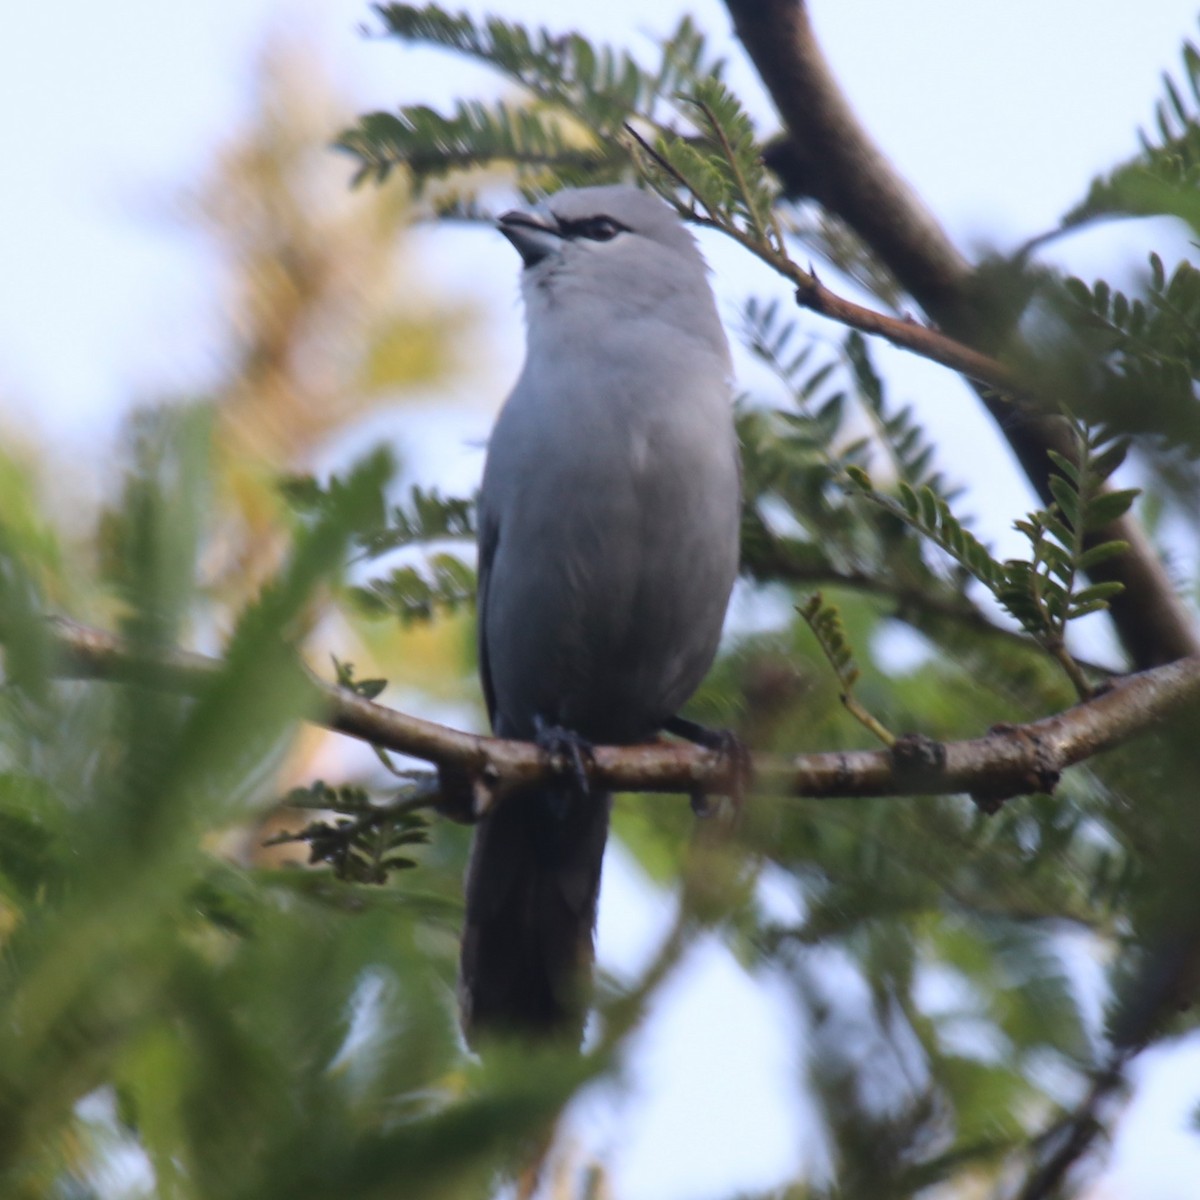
{"type": "Point", "coordinates": [610, 253]}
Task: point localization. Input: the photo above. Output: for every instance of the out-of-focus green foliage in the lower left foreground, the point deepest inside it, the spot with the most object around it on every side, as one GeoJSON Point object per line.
{"type": "Point", "coordinates": [254, 1034]}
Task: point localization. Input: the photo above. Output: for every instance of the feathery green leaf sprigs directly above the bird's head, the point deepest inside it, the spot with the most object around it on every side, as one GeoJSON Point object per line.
{"type": "Point", "coordinates": [585, 104]}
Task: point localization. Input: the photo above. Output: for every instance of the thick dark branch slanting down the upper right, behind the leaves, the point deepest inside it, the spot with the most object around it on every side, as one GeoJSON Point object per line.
{"type": "Point", "coordinates": [829, 155]}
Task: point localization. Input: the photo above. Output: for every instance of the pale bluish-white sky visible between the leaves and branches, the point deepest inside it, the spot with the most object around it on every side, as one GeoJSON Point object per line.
{"type": "Point", "coordinates": [998, 113]}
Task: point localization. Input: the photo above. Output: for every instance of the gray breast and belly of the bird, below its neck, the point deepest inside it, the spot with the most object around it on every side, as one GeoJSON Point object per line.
{"type": "Point", "coordinates": [611, 496]}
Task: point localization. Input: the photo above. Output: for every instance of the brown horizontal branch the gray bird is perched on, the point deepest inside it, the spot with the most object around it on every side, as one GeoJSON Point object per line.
{"type": "Point", "coordinates": [1007, 761]}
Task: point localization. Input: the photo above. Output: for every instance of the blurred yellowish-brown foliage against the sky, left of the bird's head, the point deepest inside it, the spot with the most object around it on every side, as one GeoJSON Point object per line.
{"type": "Point", "coordinates": [327, 321]}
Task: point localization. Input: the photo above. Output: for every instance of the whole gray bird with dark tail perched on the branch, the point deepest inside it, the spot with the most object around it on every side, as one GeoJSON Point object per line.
{"type": "Point", "coordinates": [608, 550]}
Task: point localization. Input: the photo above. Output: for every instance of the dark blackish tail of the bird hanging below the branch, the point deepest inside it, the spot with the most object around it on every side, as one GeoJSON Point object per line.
{"type": "Point", "coordinates": [532, 891]}
